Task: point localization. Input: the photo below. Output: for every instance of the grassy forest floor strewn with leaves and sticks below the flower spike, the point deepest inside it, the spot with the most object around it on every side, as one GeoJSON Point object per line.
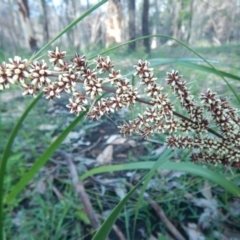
{"type": "Point", "coordinates": [50, 206]}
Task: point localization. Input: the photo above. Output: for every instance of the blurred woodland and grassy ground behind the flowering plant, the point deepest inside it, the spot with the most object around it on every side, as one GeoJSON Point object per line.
{"type": "Point", "coordinates": [49, 207]}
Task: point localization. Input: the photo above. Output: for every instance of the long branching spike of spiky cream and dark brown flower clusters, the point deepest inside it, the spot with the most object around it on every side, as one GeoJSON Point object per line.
{"type": "Point", "coordinates": [86, 81]}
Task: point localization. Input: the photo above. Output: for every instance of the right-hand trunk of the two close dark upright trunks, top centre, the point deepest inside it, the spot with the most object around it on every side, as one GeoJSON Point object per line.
{"type": "Point", "coordinates": [145, 25]}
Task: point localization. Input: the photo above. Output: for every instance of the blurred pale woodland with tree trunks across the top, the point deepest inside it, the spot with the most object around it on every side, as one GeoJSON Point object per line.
{"type": "Point", "coordinates": [28, 24]}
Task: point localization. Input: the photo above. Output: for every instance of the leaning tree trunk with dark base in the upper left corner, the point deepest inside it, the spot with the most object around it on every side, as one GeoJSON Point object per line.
{"type": "Point", "coordinates": [27, 25]}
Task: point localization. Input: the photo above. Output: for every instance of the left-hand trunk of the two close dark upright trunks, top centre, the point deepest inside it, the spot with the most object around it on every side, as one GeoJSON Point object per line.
{"type": "Point", "coordinates": [131, 24]}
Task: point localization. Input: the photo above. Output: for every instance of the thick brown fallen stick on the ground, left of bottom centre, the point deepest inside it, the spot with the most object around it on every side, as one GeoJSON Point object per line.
{"type": "Point", "coordinates": [81, 191]}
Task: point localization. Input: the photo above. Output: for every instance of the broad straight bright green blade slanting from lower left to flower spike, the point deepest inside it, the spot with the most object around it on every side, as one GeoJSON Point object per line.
{"type": "Point", "coordinates": [26, 178]}
